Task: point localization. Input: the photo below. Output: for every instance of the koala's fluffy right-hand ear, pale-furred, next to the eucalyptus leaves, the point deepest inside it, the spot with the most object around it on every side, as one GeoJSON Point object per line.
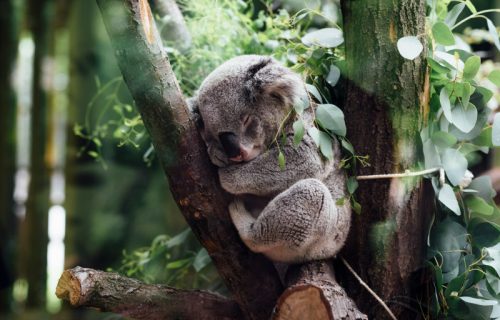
{"type": "Point", "coordinates": [267, 79]}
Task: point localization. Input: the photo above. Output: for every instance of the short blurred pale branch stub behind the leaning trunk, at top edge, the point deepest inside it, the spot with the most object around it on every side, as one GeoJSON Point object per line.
{"type": "Point", "coordinates": [174, 29]}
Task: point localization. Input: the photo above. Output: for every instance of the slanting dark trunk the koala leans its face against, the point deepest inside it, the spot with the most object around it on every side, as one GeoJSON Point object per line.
{"type": "Point", "coordinates": [193, 180]}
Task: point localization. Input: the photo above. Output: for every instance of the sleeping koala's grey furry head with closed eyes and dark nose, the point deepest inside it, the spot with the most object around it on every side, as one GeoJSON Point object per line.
{"type": "Point", "coordinates": [242, 104]}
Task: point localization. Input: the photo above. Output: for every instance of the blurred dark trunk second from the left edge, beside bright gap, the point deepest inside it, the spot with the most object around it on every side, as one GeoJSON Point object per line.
{"type": "Point", "coordinates": [34, 237]}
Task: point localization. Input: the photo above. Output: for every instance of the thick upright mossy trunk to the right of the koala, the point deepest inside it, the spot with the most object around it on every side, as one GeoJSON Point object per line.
{"type": "Point", "coordinates": [385, 109]}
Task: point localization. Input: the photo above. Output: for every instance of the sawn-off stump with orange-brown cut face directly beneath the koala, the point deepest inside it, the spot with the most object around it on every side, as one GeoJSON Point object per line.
{"type": "Point", "coordinates": [313, 291]}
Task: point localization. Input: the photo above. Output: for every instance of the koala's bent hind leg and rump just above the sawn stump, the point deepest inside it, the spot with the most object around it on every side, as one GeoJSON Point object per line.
{"type": "Point", "coordinates": [302, 223]}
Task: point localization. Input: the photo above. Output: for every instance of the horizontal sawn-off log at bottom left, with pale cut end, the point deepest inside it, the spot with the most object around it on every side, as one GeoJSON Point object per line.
{"type": "Point", "coordinates": [132, 298]}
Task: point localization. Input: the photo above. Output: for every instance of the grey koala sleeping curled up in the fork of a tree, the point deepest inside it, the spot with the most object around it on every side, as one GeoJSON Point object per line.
{"type": "Point", "coordinates": [288, 215]}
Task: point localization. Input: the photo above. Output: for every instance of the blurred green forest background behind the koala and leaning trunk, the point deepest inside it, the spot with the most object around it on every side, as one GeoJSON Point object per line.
{"type": "Point", "coordinates": [79, 182]}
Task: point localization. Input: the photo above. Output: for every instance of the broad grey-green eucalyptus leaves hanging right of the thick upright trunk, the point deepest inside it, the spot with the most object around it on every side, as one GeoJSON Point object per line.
{"type": "Point", "coordinates": [464, 240]}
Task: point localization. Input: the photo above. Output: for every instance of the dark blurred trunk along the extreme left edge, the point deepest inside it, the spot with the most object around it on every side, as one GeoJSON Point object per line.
{"type": "Point", "coordinates": [9, 33]}
